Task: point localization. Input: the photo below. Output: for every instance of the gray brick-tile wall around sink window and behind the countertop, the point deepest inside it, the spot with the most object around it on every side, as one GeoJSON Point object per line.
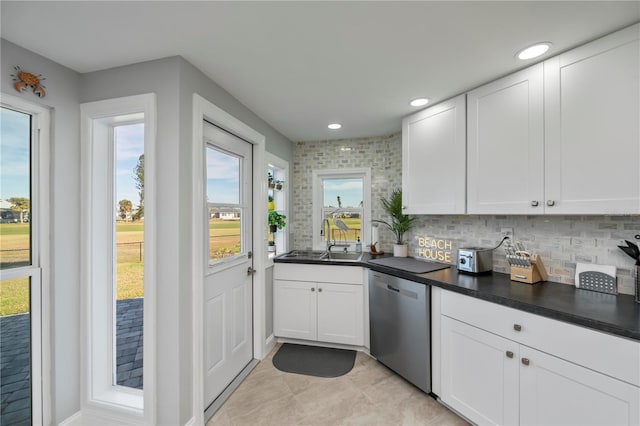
{"type": "Point", "coordinates": [560, 240]}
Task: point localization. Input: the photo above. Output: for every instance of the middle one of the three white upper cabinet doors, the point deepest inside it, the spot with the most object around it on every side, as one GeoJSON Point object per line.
{"type": "Point", "coordinates": [505, 145]}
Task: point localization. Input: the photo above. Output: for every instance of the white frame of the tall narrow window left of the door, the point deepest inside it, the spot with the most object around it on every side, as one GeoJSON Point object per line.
{"type": "Point", "coordinates": [98, 392]}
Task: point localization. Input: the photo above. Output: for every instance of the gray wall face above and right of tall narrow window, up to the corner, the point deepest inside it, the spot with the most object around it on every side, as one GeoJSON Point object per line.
{"type": "Point", "coordinates": [173, 323]}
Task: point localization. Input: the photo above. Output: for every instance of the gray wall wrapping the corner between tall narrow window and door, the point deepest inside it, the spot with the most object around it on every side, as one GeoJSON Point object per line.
{"type": "Point", "coordinates": [174, 81]}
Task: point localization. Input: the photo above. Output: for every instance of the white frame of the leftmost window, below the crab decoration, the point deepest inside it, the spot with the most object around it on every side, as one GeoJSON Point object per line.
{"type": "Point", "coordinates": [41, 401]}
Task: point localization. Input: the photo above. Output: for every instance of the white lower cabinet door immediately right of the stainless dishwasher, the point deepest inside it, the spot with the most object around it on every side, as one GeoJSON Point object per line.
{"type": "Point", "coordinates": [479, 375]}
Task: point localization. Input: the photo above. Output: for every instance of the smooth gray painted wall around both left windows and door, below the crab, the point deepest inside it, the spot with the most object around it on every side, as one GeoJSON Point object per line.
{"type": "Point", "coordinates": [174, 81]}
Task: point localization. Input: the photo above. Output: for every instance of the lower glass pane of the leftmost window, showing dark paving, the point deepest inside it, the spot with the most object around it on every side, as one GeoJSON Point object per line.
{"type": "Point", "coordinates": [15, 352]}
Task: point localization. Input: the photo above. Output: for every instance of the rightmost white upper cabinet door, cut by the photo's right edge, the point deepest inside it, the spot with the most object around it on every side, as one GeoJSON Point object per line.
{"type": "Point", "coordinates": [592, 107]}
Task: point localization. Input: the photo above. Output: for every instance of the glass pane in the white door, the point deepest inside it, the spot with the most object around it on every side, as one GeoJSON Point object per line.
{"type": "Point", "coordinates": [224, 207]}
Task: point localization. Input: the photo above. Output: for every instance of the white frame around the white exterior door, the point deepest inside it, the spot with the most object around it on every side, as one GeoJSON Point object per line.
{"type": "Point", "coordinates": [205, 110]}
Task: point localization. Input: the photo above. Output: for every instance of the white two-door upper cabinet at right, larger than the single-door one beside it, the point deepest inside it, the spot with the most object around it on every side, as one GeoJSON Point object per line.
{"type": "Point", "coordinates": [561, 137]}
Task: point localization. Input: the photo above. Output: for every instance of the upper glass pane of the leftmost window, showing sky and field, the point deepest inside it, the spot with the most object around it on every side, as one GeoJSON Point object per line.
{"type": "Point", "coordinates": [15, 189]}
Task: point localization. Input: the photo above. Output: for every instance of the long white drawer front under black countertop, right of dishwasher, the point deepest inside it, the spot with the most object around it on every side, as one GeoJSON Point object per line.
{"type": "Point", "coordinates": [614, 356]}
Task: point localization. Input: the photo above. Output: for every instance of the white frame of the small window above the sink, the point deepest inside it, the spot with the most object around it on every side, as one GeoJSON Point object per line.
{"type": "Point", "coordinates": [318, 203]}
